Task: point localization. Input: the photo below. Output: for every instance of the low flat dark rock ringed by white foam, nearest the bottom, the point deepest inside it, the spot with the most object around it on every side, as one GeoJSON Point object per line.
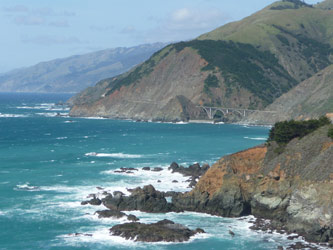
{"type": "Point", "coordinates": [164, 230]}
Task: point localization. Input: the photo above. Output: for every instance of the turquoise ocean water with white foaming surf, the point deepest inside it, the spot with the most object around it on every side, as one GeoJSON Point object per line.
{"type": "Point", "coordinates": [49, 164]}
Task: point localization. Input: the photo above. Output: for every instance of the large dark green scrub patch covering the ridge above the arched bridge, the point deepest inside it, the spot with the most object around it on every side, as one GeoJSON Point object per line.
{"type": "Point", "coordinates": [244, 65]}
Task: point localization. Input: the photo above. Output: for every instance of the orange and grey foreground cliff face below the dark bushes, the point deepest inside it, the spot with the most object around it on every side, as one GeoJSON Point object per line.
{"type": "Point", "coordinates": [294, 189]}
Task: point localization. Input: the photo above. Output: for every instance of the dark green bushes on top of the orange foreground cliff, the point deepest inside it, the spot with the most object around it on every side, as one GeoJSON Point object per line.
{"type": "Point", "coordinates": [284, 132]}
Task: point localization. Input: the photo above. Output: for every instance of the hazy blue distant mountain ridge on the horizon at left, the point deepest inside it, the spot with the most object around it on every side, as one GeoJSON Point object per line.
{"type": "Point", "coordinates": [76, 73]}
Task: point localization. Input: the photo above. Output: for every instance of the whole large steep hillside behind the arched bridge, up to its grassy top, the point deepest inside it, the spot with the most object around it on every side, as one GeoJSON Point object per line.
{"type": "Point", "coordinates": [246, 64]}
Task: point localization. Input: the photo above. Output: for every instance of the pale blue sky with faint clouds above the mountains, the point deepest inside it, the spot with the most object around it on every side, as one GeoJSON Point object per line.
{"type": "Point", "coordinates": [41, 30]}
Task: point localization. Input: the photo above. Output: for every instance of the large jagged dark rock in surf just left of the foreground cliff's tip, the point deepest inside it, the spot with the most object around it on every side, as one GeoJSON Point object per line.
{"type": "Point", "coordinates": [145, 199]}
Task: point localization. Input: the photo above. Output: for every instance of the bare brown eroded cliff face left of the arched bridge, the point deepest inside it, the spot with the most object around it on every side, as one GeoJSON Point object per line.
{"type": "Point", "coordinates": [148, 96]}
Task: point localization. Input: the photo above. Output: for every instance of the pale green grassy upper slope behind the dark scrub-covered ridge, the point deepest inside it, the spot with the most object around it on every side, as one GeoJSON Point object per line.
{"type": "Point", "coordinates": [298, 35]}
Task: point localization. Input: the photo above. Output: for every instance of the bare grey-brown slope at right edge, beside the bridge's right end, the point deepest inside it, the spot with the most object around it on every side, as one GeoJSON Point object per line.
{"type": "Point", "coordinates": [311, 98]}
